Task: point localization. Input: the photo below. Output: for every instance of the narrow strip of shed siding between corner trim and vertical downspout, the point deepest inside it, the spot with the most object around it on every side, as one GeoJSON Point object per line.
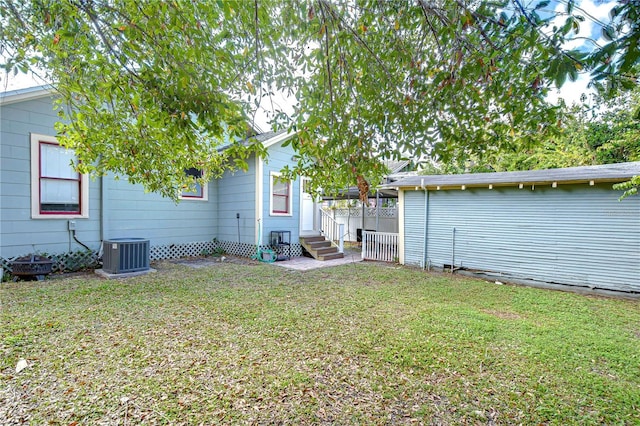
{"type": "Point", "coordinates": [414, 217]}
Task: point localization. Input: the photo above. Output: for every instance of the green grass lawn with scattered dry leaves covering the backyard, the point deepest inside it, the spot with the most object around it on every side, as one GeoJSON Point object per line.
{"type": "Point", "coordinates": [356, 344]}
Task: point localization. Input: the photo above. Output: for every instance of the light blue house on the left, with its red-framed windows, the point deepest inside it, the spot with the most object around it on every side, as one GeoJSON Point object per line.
{"type": "Point", "coordinates": [47, 208]}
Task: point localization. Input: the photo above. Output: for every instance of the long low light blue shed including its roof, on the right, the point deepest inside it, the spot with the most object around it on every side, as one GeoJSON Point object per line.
{"type": "Point", "coordinates": [548, 227]}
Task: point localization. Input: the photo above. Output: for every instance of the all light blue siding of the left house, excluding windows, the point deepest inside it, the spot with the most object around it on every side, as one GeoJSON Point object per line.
{"type": "Point", "coordinates": [121, 209]}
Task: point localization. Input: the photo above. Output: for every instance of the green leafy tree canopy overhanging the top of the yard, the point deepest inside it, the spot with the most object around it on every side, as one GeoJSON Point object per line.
{"type": "Point", "coordinates": [149, 89]}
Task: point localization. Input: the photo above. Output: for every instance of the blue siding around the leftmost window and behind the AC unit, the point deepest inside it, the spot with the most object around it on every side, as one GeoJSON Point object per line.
{"type": "Point", "coordinates": [130, 212]}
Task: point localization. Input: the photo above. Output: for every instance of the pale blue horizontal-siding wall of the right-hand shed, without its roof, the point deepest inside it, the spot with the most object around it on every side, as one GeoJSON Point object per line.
{"type": "Point", "coordinates": [574, 234]}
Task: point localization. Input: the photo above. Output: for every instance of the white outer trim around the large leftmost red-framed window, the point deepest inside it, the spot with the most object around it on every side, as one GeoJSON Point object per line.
{"type": "Point", "coordinates": [35, 184]}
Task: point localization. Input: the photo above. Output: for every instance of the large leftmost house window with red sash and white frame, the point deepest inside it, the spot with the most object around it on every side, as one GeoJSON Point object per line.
{"type": "Point", "coordinates": [57, 190]}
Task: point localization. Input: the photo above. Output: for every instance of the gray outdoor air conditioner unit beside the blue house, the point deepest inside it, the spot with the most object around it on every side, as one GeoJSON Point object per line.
{"type": "Point", "coordinates": [121, 255]}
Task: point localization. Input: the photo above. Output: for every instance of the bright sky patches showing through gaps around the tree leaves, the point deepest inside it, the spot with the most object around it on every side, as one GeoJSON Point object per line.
{"type": "Point", "coordinates": [594, 11]}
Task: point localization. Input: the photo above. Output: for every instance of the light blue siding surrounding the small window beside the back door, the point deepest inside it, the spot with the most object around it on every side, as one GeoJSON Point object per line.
{"type": "Point", "coordinates": [279, 157]}
